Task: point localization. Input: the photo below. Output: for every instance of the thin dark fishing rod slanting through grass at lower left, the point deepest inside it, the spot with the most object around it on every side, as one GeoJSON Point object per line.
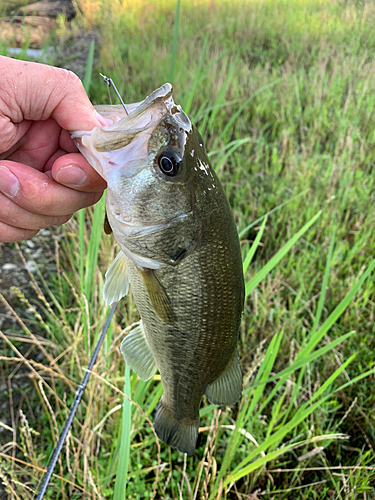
{"type": "Point", "coordinates": [74, 408]}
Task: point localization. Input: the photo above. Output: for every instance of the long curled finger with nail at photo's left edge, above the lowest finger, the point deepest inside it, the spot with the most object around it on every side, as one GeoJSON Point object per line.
{"type": "Point", "coordinates": [36, 192]}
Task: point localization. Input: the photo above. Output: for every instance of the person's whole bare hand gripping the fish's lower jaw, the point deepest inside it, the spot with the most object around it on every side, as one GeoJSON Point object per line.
{"type": "Point", "coordinates": [43, 178]}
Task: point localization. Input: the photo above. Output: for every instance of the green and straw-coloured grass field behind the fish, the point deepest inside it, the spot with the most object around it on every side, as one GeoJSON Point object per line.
{"type": "Point", "coordinates": [283, 92]}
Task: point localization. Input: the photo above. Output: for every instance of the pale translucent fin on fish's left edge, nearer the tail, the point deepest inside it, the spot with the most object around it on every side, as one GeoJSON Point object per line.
{"type": "Point", "coordinates": [137, 353]}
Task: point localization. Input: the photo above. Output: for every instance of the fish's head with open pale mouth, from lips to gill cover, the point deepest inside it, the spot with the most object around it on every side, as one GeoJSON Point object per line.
{"type": "Point", "coordinates": [157, 172]}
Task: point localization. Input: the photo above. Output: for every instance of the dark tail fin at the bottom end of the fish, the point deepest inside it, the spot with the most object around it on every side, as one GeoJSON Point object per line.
{"type": "Point", "coordinates": [180, 435]}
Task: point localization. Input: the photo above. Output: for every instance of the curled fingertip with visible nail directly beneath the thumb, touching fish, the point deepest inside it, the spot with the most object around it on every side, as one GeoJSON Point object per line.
{"type": "Point", "coordinates": [74, 171]}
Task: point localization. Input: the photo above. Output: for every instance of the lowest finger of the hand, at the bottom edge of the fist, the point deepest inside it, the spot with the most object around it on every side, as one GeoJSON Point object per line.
{"type": "Point", "coordinates": [14, 215]}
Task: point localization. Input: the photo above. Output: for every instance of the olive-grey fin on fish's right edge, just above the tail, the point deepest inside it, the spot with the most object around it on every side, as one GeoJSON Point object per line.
{"type": "Point", "coordinates": [227, 388]}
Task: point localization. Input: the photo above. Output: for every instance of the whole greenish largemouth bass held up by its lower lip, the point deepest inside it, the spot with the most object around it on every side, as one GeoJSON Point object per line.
{"type": "Point", "coordinates": [180, 252]}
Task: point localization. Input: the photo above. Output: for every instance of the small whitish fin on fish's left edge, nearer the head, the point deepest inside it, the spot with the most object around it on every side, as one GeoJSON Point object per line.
{"type": "Point", "coordinates": [116, 283]}
